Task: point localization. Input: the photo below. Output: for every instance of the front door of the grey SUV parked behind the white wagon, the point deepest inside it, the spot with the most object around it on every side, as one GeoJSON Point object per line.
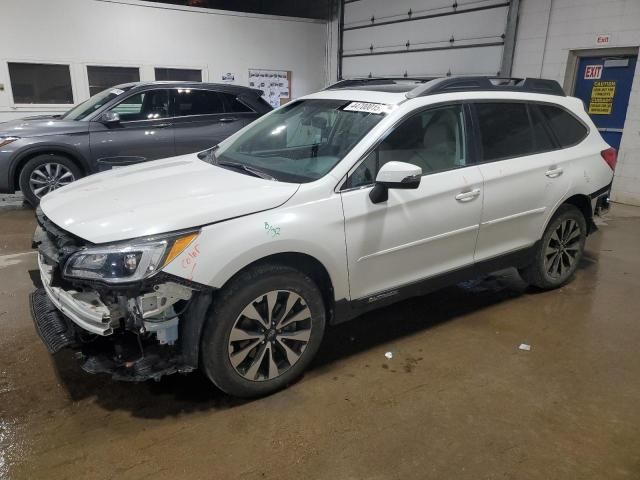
{"type": "Point", "coordinates": [144, 132]}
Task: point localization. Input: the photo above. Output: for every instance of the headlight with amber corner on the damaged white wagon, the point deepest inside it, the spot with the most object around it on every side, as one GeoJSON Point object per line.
{"type": "Point", "coordinates": [127, 262]}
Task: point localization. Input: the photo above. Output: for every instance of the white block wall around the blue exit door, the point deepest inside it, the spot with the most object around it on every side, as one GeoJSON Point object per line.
{"type": "Point", "coordinates": [549, 29]}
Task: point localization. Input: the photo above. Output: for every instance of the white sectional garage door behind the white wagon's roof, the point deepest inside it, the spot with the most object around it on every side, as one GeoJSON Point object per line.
{"type": "Point", "coordinates": [423, 37]}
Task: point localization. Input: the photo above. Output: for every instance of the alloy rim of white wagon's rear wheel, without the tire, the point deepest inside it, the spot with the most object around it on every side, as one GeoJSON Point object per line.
{"type": "Point", "coordinates": [562, 249]}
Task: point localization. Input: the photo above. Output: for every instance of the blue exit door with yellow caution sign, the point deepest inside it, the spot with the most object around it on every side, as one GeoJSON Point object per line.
{"type": "Point", "coordinates": [604, 85]}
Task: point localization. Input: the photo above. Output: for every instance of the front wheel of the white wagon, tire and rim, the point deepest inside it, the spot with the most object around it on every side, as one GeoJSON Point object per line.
{"type": "Point", "coordinates": [242, 366]}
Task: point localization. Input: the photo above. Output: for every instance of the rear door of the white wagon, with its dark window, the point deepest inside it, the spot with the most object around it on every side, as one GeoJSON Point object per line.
{"type": "Point", "coordinates": [525, 175]}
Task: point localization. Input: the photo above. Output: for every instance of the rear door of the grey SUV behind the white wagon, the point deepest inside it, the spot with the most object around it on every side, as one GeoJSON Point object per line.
{"type": "Point", "coordinates": [202, 119]}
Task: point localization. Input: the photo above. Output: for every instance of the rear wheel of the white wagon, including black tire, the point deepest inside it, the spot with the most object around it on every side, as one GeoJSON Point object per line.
{"type": "Point", "coordinates": [560, 250]}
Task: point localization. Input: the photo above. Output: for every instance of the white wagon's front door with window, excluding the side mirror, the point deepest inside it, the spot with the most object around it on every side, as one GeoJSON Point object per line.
{"type": "Point", "coordinates": [419, 233]}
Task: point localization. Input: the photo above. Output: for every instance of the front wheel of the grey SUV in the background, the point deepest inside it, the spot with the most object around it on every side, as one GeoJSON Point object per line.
{"type": "Point", "coordinates": [45, 173]}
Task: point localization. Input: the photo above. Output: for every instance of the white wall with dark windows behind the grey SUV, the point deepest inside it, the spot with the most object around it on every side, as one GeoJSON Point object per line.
{"type": "Point", "coordinates": [148, 35]}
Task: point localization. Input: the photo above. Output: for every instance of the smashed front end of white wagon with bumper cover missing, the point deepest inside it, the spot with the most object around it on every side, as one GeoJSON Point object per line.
{"type": "Point", "coordinates": [133, 332]}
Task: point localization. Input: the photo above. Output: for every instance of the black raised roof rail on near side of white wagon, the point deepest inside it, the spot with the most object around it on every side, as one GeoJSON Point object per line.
{"type": "Point", "coordinates": [477, 83]}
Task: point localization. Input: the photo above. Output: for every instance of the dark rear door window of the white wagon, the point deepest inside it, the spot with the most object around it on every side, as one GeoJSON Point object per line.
{"type": "Point", "coordinates": [505, 130]}
